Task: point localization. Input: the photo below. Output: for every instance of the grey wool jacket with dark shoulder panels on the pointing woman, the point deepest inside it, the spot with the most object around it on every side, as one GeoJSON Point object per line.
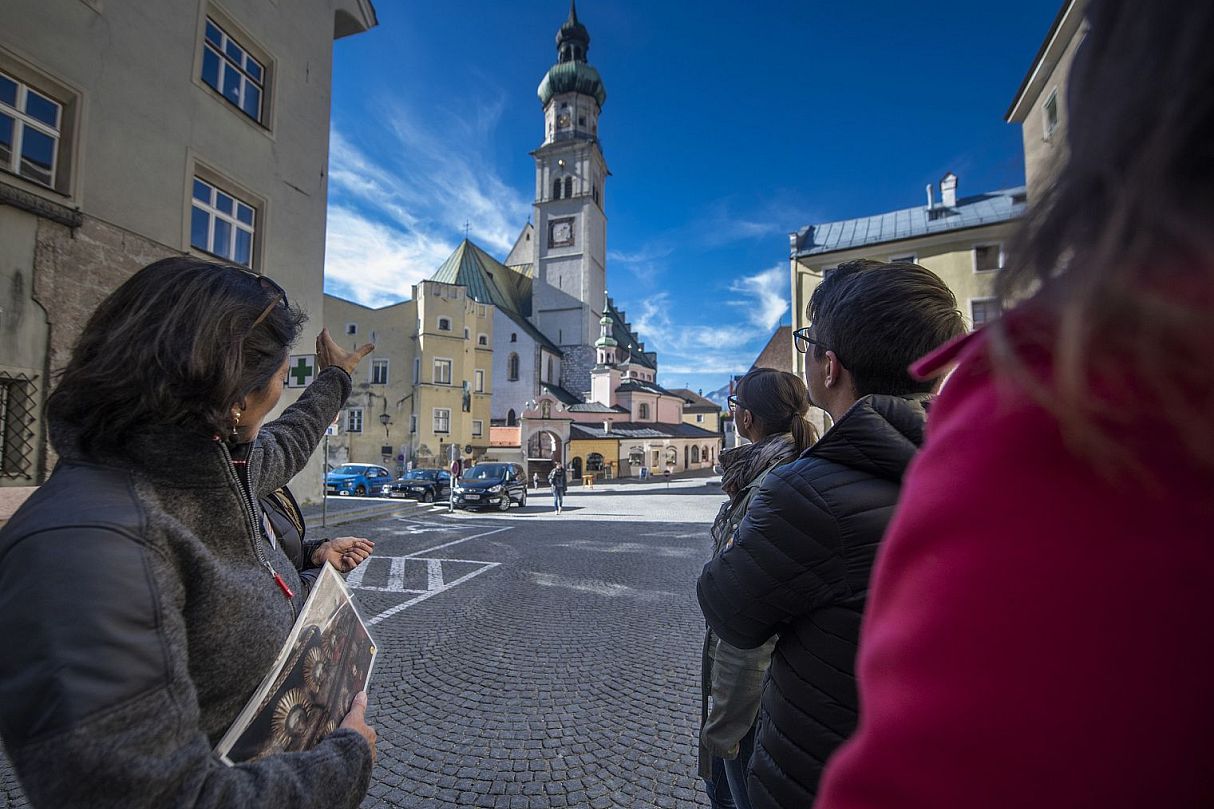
{"type": "Point", "coordinates": [139, 615]}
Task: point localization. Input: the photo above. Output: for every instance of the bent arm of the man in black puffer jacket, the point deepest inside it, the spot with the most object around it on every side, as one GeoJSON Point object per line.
{"type": "Point", "coordinates": [784, 563]}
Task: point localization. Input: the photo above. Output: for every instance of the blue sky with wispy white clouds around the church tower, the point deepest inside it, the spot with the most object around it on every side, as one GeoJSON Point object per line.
{"type": "Point", "coordinates": [727, 127]}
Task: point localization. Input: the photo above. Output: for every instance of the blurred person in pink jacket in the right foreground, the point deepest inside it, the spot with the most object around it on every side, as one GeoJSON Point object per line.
{"type": "Point", "coordinates": [1040, 624]}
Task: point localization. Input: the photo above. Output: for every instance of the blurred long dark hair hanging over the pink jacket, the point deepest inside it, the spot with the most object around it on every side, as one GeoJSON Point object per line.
{"type": "Point", "coordinates": [1119, 256]}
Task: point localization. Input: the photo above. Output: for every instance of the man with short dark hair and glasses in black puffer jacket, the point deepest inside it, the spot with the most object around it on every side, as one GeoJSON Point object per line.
{"type": "Point", "coordinates": [802, 559]}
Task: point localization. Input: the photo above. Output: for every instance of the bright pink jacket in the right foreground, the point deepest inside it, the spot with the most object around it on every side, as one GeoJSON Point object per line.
{"type": "Point", "coordinates": [1039, 635]}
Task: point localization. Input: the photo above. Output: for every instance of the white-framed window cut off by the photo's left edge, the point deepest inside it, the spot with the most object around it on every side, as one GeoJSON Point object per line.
{"type": "Point", "coordinates": [31, 125]}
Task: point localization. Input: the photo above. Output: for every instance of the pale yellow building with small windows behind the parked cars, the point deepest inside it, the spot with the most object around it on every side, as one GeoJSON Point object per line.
{"type": "Point", "coordinates": [426, 393]}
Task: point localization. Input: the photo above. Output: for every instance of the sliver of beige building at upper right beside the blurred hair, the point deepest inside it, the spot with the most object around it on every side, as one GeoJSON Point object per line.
{"type": "Point", "coordinates": [1040, 106]}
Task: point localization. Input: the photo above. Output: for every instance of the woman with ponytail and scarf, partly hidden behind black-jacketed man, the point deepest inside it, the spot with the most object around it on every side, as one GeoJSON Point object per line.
{"type": "Point", "coordinates": [769, 410]}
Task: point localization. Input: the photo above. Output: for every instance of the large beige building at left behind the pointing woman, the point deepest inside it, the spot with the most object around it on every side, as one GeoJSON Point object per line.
{"type": "Point", "coordinates": [132, 132]}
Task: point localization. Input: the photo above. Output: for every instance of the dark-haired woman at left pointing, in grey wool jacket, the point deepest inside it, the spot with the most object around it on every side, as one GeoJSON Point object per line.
{"type": "Point", "coordinates": [143, 596]}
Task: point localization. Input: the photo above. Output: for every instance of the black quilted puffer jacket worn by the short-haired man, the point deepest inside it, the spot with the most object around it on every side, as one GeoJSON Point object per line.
{"type": "Point", "coordinates": [801, 568]}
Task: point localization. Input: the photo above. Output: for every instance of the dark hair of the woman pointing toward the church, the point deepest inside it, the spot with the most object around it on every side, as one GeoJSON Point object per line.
{"type": "Point", "coordinates": [177, 344]}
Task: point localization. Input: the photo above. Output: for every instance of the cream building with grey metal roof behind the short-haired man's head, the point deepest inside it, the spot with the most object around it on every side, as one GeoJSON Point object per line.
{"type": "Point", "coordinates": [962, 240]}
